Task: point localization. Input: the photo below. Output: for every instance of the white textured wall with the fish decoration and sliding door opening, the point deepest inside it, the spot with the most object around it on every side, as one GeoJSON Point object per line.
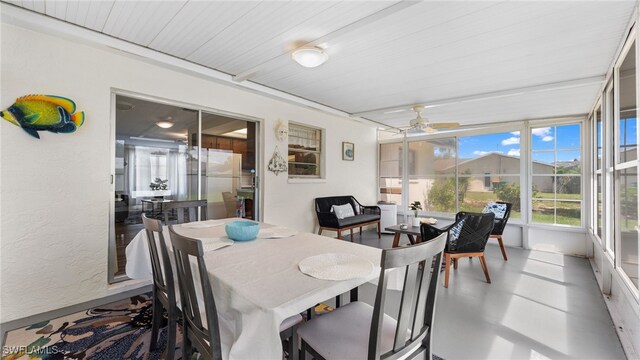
{"type": "Point", "coordinates": [55, 191]}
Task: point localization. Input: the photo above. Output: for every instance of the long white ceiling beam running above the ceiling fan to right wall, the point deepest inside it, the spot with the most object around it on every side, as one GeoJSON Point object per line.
{"type": "Point", "coordinates": [492, 95]}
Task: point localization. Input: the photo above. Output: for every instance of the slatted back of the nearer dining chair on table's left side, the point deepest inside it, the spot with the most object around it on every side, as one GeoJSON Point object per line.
{"type": "Point", "coordinates": [205, 337]}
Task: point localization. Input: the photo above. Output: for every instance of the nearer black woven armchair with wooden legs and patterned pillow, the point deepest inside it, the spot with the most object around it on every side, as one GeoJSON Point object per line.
{"type": "Point", "coordinates": [467, 237]}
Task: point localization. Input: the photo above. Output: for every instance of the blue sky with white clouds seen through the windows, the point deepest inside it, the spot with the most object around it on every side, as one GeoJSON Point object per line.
{"type": "Point", "coordinates": [543, 138]}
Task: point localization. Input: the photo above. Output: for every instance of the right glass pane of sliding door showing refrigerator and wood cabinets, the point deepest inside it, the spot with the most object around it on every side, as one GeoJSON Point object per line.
{"type": "Point", "coordinates": [228, 156]}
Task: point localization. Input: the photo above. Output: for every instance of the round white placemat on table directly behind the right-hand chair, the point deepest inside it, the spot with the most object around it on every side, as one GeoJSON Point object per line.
{"type": "Point", "coordinates": [336, 266]}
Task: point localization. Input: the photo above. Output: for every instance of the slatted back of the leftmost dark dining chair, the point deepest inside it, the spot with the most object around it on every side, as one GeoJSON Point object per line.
{"type": "Point", "coordinates": [160, 263]}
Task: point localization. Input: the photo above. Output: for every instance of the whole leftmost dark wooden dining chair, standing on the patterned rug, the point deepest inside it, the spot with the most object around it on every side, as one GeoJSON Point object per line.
{"type": "Point", "coordinates": [164, 293]}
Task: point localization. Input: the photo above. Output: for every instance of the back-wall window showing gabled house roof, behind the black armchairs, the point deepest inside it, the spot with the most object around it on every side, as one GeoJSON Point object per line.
{"type": "Point", "coordinates": [489, 170]}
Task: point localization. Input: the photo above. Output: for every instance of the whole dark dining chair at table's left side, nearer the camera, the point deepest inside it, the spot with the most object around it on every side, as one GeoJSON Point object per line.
{"type": "Point", "coordinates": [205, 335]}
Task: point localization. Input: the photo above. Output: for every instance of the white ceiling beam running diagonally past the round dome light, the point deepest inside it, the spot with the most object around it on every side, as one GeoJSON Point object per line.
{"type": "Point", "coordinates": [248, 73]}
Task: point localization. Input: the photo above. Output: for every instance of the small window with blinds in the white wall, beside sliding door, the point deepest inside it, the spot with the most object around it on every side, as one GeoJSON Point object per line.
{"type": "Point", "coordinates": [304, 151]}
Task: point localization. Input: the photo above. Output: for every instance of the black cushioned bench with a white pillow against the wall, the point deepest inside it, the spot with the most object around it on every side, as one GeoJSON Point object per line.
{"type": "Point", "coordinates": [334, 215]}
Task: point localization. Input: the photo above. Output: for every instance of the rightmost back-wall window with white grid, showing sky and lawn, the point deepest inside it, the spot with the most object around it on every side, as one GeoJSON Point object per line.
{"type": "Point", "coordinates": [556, 175]}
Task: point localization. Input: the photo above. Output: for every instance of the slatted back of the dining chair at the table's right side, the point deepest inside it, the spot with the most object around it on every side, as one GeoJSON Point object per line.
{"type": "Point", "coordinates": [413, 328]}
